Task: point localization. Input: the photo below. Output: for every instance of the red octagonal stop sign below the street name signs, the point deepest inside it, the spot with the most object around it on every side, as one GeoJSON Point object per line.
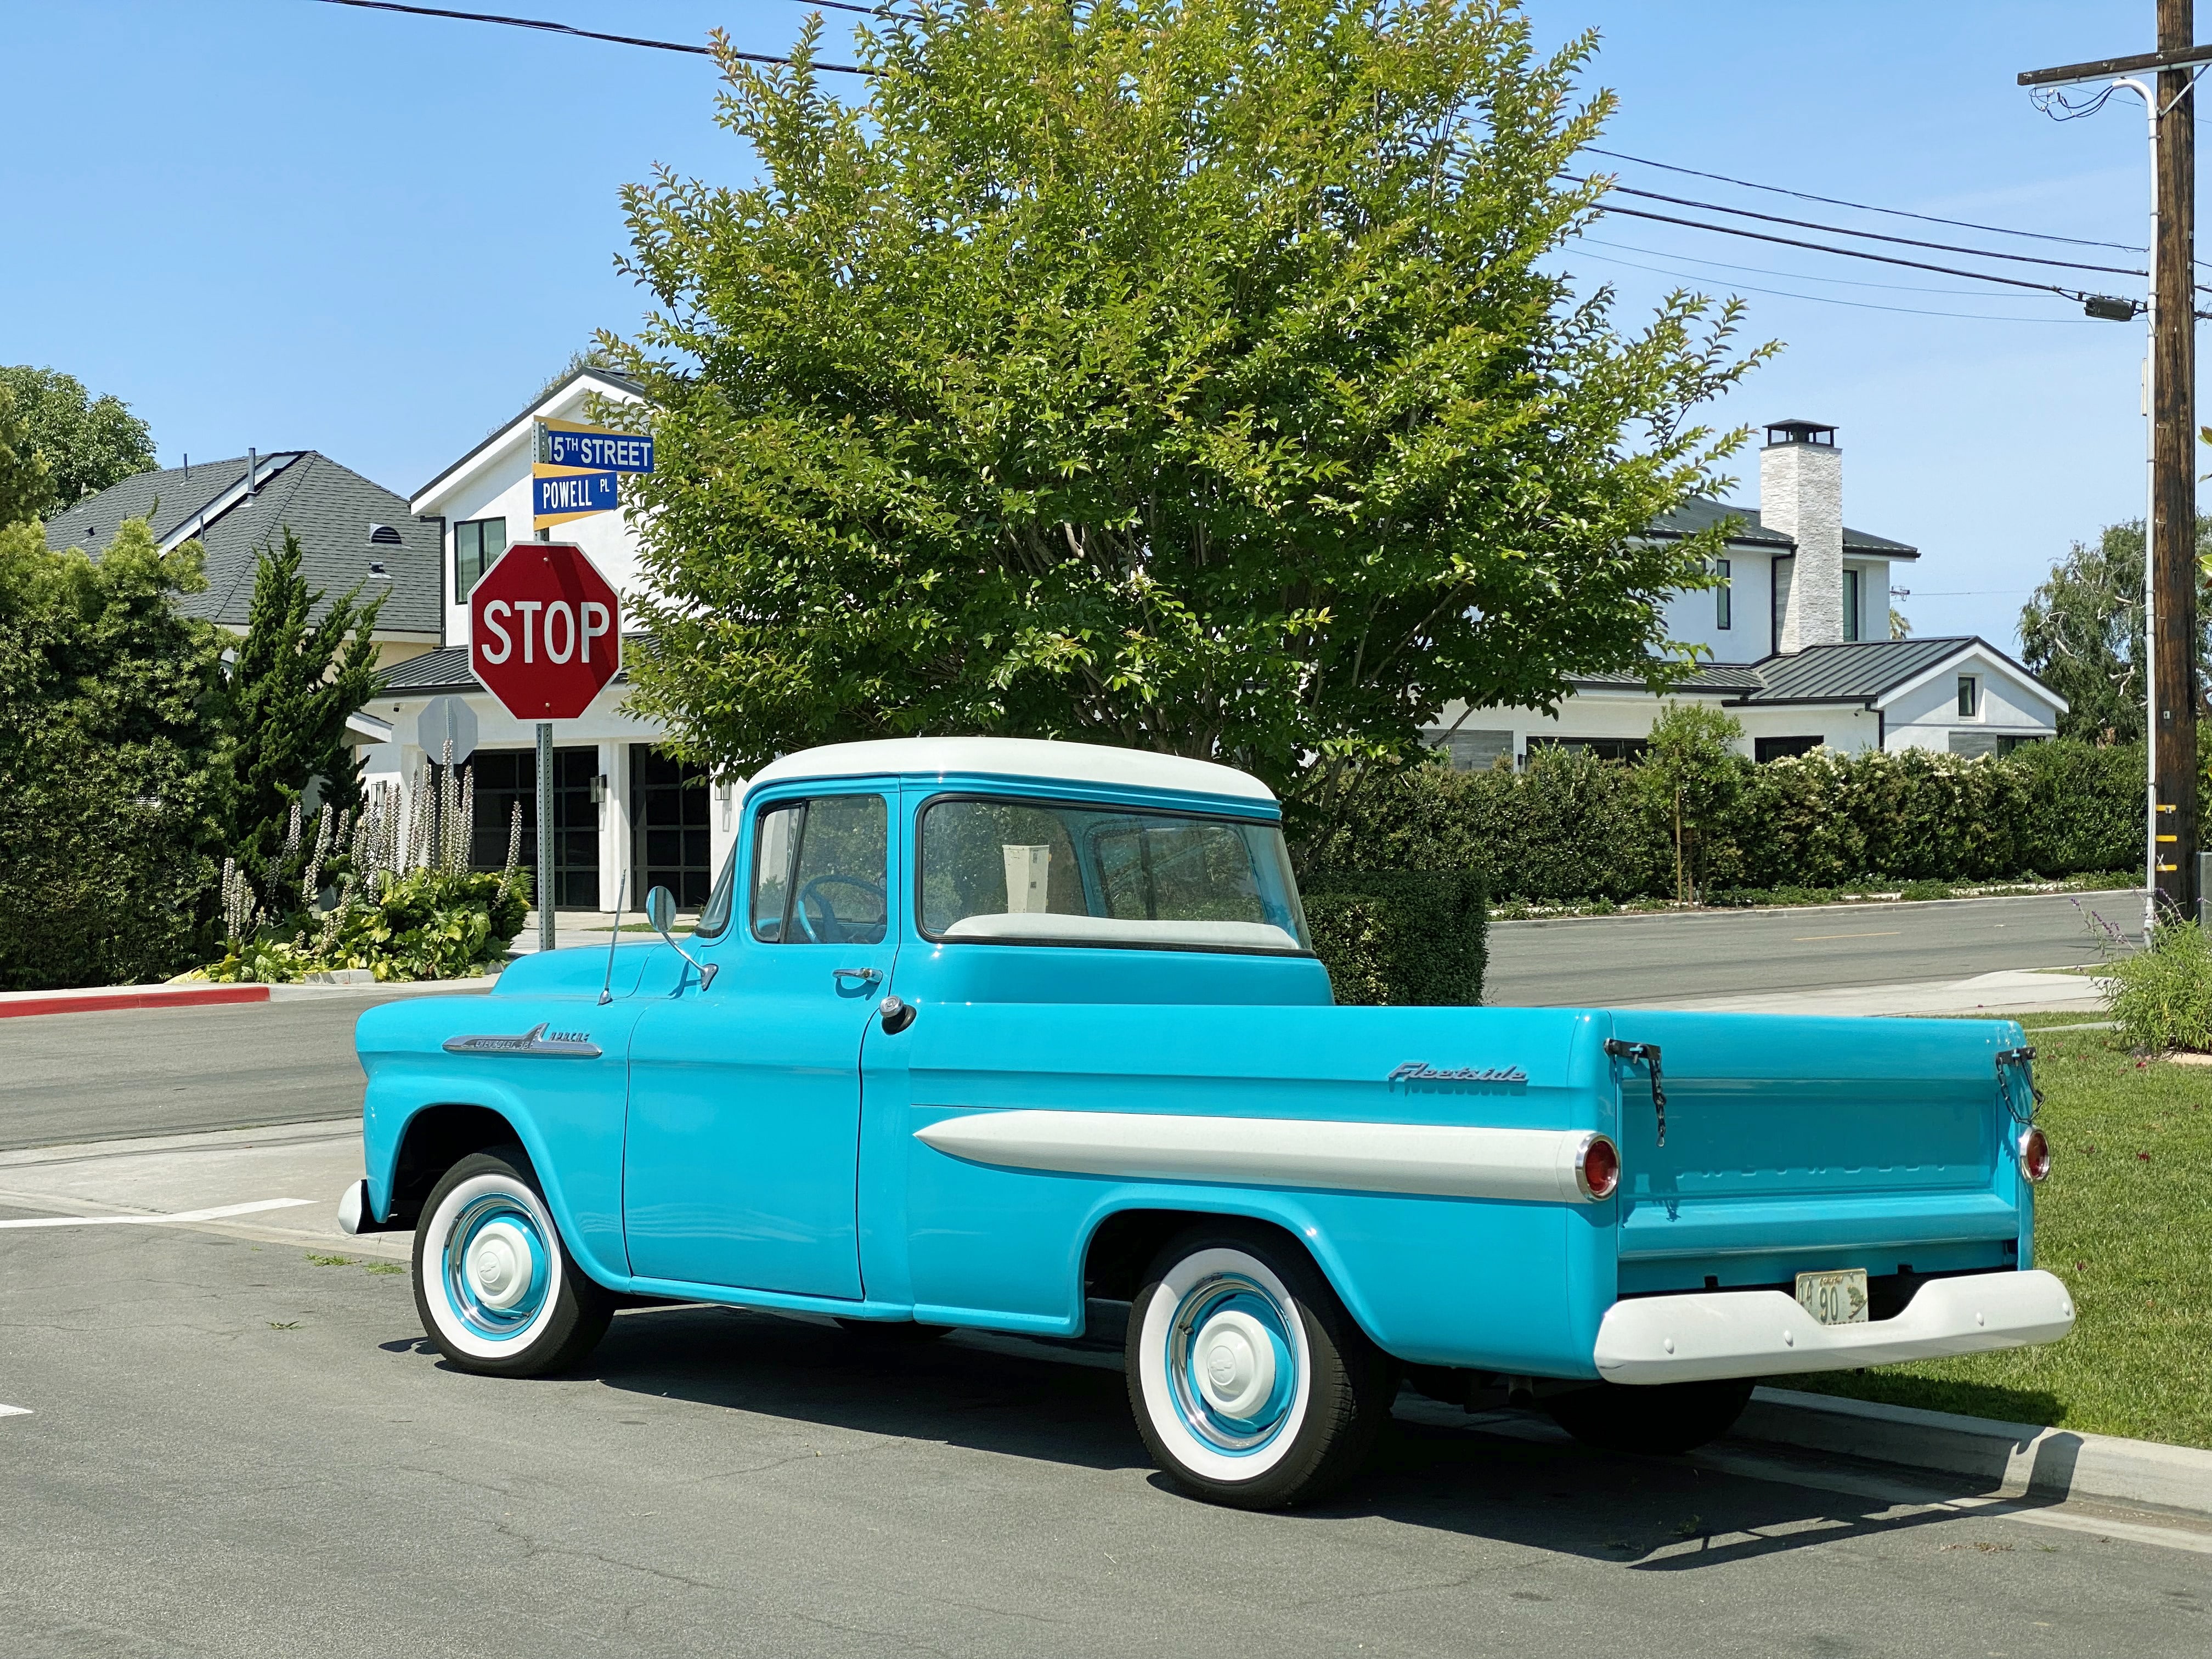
{"type": "Point", "coordinates": [545, 632]}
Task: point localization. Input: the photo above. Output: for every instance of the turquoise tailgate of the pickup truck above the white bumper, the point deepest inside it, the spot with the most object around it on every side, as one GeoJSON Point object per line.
{"type": "Point", "coordinates": [1797, 1145]}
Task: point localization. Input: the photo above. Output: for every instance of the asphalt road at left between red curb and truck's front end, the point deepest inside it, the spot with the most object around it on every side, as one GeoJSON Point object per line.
{"type": "Point", "coordinates": [167, 1072]}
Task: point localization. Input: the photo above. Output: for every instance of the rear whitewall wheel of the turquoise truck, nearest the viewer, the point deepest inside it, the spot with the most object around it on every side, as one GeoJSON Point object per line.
{"type": "Point", "coordinates": [1249, 1379]}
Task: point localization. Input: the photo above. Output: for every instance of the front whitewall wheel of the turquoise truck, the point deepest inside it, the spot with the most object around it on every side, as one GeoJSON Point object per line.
{"type": "Point", "coordinates": [497, 1286]}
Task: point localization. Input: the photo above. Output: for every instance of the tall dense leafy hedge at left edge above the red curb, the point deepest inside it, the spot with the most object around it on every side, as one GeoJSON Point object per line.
{"type": "Point", "coordinates": [109, 753]}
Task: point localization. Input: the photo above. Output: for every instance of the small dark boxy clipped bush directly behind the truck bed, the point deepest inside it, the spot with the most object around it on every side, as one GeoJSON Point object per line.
{"type": "Point", "coordinates": [1399, 937]}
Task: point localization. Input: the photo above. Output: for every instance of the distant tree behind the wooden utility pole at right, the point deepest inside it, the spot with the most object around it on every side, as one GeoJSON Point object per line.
{"type": "Point", "coordinates": [2083, 632]}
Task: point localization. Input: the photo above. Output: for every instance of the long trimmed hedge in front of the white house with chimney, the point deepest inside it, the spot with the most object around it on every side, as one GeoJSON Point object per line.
{"type": "Point", "coordinates": [1574, 828]}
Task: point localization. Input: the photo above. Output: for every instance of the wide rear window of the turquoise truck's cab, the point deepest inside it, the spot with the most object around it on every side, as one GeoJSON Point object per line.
{"type": "Point", "coordinates": [1058, 873]}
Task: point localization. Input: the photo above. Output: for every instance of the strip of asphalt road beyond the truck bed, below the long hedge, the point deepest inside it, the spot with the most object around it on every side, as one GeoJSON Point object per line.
{"type": "Point", "coordinates": [1620, 961]}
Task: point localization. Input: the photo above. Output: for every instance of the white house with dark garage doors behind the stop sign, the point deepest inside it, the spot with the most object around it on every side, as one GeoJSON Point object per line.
{"type": "Point", "coordinates": [625, 815]}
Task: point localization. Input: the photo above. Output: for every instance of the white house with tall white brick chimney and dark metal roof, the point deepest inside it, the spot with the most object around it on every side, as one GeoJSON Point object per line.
{"type": "Point", "coordinates": [1795, 643]}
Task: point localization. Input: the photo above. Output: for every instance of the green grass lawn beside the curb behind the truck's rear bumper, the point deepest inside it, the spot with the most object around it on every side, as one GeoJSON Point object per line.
{"type": "Point", "coordinates": [2127, 1222]}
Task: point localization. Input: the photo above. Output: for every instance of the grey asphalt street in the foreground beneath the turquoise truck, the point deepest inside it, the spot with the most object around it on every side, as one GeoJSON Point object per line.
{"type": "Point", "coordinates": [229, 1439]}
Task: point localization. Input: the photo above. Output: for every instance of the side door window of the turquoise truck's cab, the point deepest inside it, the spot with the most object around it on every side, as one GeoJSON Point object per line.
{"type": "Point", "coordinates": [822, 870]}
